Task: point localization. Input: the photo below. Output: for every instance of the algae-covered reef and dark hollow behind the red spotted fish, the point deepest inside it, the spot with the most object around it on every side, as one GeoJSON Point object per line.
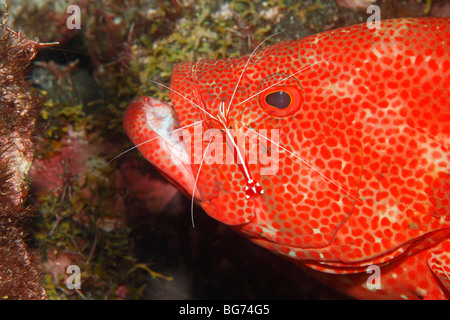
{"type": "Point", "coordinates": [121, 222]}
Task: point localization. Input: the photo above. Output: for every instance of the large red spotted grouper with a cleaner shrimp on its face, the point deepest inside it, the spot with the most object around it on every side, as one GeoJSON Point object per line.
{"type": "Point", "coordinates": [331, 151]}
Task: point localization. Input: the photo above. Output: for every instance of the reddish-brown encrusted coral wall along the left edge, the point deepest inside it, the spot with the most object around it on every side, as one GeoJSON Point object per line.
{"type": "Point", "coordinates": [19, 110]}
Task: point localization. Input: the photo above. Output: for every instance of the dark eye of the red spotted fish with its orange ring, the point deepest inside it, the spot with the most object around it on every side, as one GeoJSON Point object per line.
{"type": "Point", "coordinates": [281, 101]}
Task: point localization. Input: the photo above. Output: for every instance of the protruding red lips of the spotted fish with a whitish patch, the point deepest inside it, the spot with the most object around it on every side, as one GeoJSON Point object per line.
{"type": "Point", "coordinates": [154, 128]}
